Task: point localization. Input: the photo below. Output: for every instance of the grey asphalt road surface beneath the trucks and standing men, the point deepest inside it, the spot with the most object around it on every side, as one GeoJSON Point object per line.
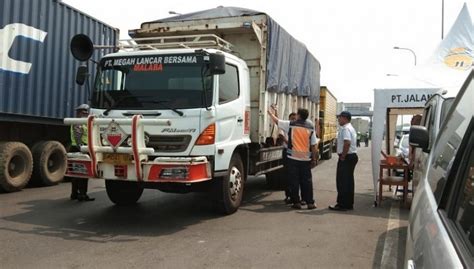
{"type": "Point", "coordinates": [42, 228]}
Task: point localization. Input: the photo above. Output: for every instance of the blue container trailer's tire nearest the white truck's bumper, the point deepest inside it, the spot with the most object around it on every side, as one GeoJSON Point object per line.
{"type": "Point", "coordinates": [50, 162]}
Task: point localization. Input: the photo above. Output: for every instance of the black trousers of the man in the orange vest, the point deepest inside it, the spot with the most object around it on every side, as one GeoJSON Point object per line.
{"type": "Point", "coordinates": [299, 173]}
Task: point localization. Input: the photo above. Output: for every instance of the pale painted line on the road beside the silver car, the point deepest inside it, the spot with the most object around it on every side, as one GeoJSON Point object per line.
{"type": "Point", "coordinates": [392, 238]}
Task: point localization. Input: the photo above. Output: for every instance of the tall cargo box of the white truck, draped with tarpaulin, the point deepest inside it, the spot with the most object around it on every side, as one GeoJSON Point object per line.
{"type": "Point", "coordinates": [282, 70]}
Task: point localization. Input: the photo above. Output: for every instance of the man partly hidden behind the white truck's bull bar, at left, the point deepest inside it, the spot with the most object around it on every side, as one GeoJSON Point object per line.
{"type": "Point", "coordinates": [78, 139]}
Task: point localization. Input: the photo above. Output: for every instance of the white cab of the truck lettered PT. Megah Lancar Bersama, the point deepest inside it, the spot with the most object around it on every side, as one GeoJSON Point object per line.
{"type": "Point", "coordinates": [193, 106]}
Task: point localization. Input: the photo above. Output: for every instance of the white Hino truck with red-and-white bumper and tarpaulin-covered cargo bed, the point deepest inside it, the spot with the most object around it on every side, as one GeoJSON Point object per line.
{"type": "Point", "coordinates": [183, 106]}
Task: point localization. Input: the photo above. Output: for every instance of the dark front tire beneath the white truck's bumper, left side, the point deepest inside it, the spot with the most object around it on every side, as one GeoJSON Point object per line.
{"type": "Point", "coordinates": [123, 192]}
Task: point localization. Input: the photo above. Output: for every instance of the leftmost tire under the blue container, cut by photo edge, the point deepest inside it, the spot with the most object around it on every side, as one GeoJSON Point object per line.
{"type": "Point", "coordinates": [16, 166]}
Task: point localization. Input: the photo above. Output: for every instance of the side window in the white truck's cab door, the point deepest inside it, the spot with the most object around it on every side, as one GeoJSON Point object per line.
{"type": "Point", "coordinates": [229, 84]}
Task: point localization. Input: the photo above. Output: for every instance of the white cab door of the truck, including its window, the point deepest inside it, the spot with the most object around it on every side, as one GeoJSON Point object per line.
{"type": "Point", "coordinates": [229, 115]}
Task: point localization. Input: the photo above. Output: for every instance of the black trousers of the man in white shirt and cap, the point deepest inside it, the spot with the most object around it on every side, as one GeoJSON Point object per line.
{"type": "Point", "coordinates": [345, 180]}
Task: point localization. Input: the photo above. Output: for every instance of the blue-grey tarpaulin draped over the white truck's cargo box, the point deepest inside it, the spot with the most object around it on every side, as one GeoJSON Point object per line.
{"type": "Point", "coordinates": [291, 68]}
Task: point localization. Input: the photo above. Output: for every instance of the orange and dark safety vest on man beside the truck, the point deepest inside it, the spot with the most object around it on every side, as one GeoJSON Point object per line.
{"type": "Point", "coordinates": [299, 140]}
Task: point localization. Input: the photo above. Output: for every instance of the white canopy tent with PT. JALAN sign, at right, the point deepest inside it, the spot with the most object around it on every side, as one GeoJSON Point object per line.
{"type": "Point", "coordinates": [445, 71]}
